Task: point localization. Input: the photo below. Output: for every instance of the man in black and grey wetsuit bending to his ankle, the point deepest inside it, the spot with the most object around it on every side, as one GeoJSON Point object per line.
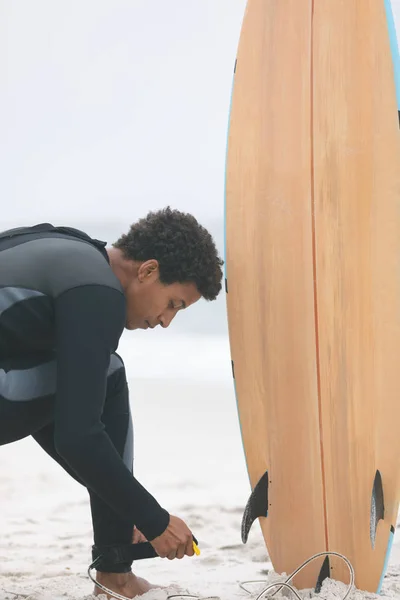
{"type": "Point", "coordinates": [64, 302]}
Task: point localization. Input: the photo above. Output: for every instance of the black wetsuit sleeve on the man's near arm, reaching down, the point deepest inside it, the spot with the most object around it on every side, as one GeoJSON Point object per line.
{"type": "Point", "coordinates": [89, 321]}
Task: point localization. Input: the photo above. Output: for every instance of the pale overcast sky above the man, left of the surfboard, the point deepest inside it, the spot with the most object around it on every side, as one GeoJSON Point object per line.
{"type": "Point", "coordinates": [114, 106]}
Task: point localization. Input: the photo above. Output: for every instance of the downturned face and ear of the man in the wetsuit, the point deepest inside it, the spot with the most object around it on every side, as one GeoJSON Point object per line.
{"type": "Point", "coordinates": [151, 303]}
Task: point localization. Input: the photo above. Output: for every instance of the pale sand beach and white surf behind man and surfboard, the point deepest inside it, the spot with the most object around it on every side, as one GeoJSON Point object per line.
{"type": "Point", "coordinates": [188, 453]}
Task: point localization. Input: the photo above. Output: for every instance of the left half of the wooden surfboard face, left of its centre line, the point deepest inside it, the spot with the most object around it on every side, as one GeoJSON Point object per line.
{"type": "Point", "coordinates": [270, 275]}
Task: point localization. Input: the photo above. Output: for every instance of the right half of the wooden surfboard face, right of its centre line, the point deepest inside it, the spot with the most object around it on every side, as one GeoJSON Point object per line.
{"type": "Point", "coordinates": [356, 190]}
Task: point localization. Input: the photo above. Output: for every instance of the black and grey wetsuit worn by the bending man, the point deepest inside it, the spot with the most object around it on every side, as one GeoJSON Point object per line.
{"type": "Point", "coordinates": [62, 312]}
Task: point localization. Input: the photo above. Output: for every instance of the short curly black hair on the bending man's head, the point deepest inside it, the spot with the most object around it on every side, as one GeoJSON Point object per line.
{"type": "Point", "coordinates": [184, 249]}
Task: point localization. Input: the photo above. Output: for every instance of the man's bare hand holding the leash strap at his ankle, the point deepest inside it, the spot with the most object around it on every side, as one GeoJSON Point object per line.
{"type": "Point", "coordinates": [176, 541]}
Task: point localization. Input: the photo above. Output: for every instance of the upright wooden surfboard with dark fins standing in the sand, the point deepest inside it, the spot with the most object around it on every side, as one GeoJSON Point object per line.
{"type": "Point", "coordinates": [312, 267]}
